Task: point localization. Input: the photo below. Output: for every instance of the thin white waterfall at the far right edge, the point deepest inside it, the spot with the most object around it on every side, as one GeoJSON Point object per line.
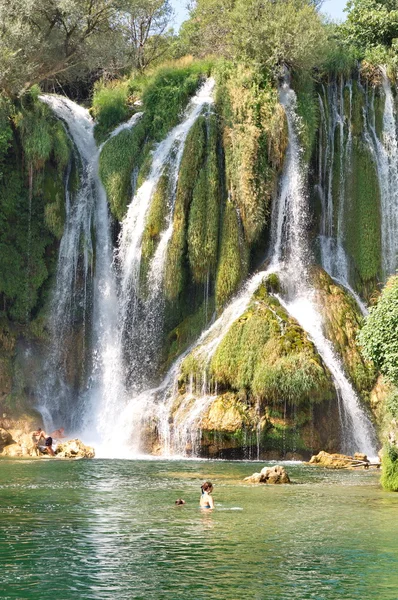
{"type": "Point", "coordinates": [385, 152]}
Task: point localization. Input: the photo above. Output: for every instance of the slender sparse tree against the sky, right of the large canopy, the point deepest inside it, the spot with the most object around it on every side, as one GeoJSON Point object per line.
{"type": "Point", "coordinates": [144, 25]}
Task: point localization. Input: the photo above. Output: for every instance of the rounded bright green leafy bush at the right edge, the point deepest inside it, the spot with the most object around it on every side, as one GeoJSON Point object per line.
{"type": "Point", "coordinates": [379, 336]}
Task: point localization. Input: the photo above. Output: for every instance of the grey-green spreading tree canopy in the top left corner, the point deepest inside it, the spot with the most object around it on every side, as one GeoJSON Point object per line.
{"type": "Point", "coordinates": [40, 39]}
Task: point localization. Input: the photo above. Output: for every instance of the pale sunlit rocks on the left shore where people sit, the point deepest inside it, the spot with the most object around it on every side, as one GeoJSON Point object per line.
{"type": "Point", "coordinates": [19, 444]}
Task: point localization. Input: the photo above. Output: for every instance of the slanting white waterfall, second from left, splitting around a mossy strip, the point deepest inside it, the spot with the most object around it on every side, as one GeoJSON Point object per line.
{"type": "Point", "coordinates": [142, 313]}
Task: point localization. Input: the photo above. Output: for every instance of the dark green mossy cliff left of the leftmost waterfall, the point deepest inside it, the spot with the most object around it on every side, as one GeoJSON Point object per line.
{"type": "Point", "coordinates": [32, 207]}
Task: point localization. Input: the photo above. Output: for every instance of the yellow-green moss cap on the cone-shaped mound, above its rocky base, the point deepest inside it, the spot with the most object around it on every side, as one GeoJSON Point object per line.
{"type": "Point", "coordinates": [269, 356]}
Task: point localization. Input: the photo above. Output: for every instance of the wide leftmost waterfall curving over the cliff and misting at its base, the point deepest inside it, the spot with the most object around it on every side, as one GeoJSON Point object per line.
{"type": "Point", "coordinates": [84, 304]}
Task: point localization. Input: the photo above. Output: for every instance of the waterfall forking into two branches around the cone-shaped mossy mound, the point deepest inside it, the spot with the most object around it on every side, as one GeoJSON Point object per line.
{"type": "Point", "coordinates": [290, 258]}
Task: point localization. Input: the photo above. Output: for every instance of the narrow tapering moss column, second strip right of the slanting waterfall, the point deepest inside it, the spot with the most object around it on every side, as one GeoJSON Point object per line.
{"type": "Point", "coordinates": [204, 212]}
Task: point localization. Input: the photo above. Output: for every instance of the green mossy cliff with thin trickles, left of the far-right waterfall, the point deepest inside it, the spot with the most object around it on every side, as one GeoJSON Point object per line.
{"type": "Point", "coordinates": [354, 185]}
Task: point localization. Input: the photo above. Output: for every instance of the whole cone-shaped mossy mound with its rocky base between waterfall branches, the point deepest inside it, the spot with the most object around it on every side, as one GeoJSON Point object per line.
{"type": "Point", "coordinates": [271, 385]}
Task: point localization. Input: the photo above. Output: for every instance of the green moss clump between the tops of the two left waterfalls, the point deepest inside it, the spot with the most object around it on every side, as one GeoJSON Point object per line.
{"type": "Point", "coordinates": [120, 155]}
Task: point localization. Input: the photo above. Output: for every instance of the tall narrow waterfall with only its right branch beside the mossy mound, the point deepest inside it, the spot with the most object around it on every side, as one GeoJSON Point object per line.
{"type": "Point", "coordinates": [300, 303]}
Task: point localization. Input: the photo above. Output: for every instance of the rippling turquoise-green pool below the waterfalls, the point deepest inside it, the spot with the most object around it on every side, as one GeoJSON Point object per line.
{"type": "Point", "coordinates": [109, 529]}
